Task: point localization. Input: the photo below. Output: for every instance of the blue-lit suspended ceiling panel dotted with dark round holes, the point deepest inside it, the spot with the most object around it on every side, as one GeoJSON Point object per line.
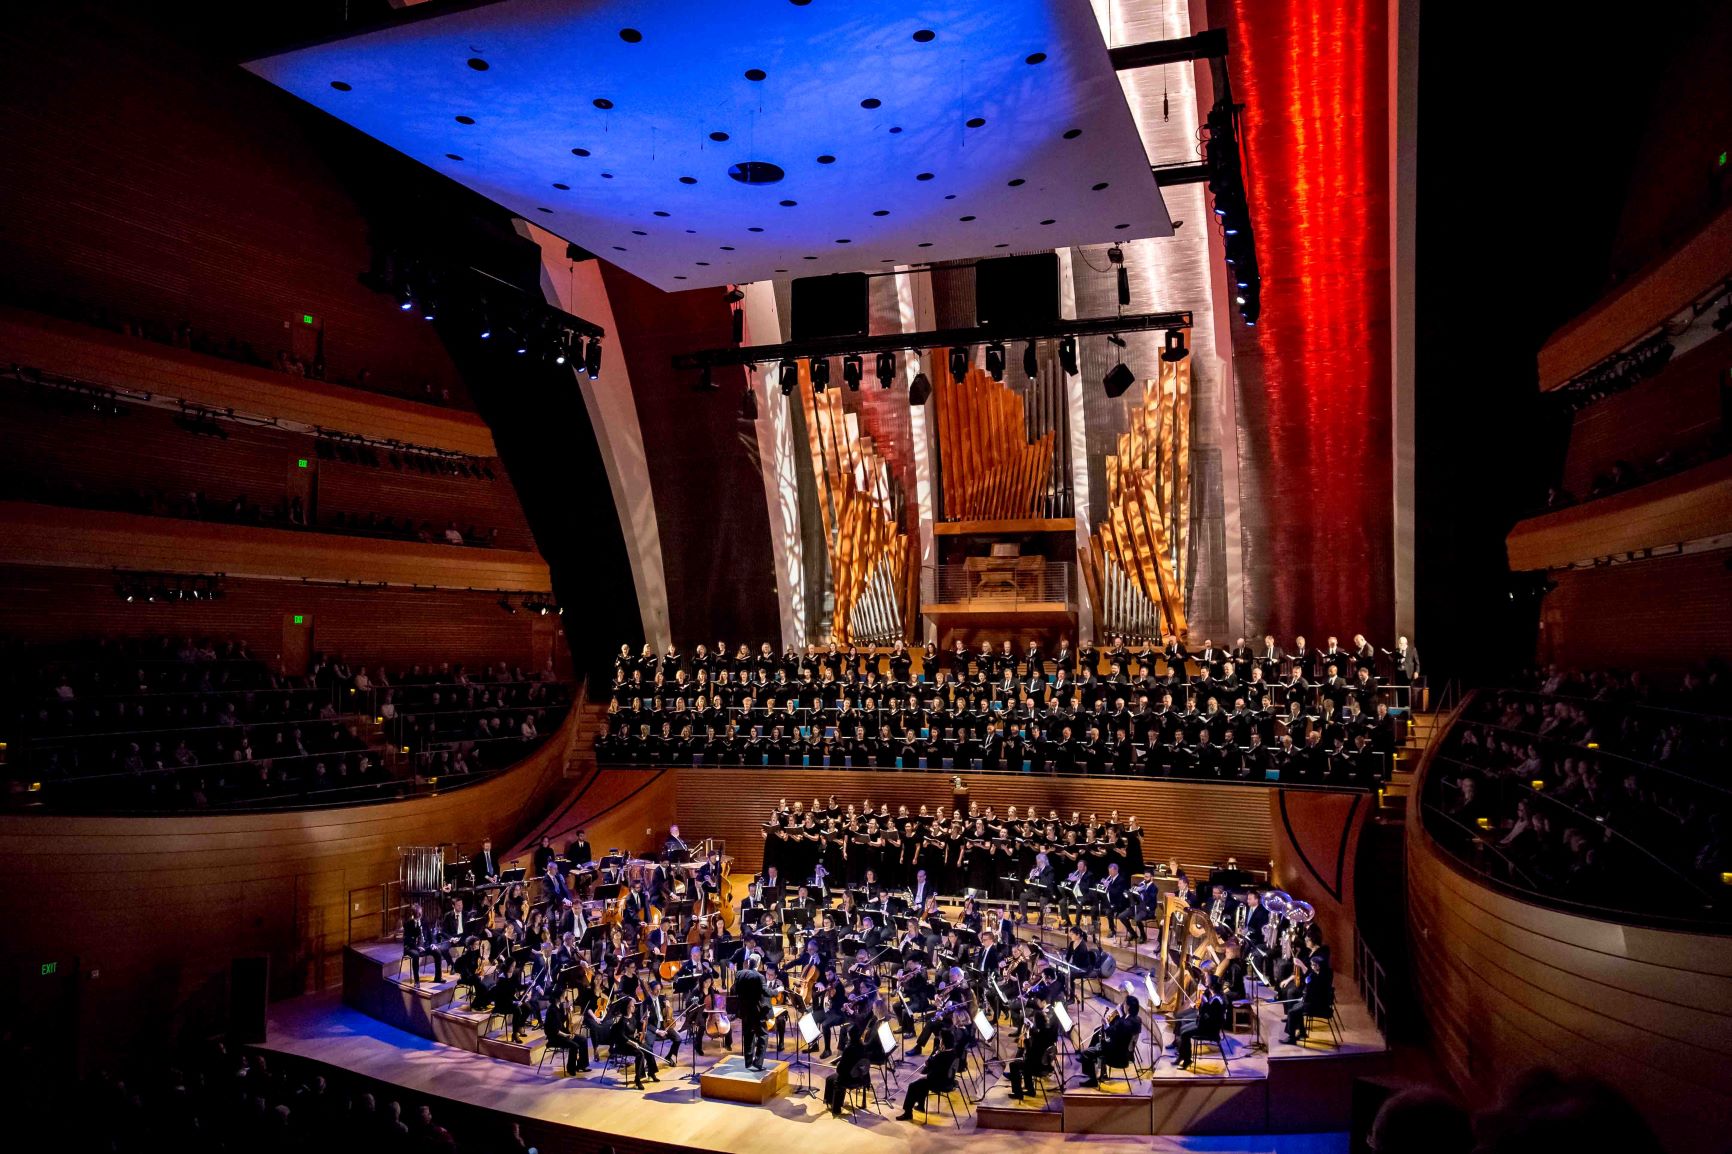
{"type": "Point", "coordinates": [708, 143]}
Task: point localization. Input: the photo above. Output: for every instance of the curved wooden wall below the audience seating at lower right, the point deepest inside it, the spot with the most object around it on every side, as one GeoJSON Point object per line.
{"type": "Point", "coordinates": [1509, 985]}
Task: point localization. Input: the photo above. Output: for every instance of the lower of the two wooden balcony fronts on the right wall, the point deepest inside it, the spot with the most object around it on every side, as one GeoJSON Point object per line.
{"type": "Point", "coordinates": [1693, 505]}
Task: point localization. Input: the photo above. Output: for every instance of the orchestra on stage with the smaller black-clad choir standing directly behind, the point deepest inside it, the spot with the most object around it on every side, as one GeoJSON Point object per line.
{"type": "Point", "coordinates": [860, 935]}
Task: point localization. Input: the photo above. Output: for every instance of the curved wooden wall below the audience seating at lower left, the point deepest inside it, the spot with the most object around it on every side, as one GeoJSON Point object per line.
{"type": "Point", "coordinates": [152, 911]}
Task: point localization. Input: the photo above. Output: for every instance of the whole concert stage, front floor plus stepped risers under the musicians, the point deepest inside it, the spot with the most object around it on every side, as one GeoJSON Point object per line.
{"type": "Point", "coordinates": [1302, 1091]}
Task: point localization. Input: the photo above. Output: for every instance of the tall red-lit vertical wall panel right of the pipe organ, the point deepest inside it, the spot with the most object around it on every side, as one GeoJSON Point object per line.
{"type": "Point", "coordinates": [1314, 375]}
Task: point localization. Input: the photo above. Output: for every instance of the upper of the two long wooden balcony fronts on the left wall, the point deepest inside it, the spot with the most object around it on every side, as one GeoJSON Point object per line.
{"type": "Point", "coordinates": [119, 361]}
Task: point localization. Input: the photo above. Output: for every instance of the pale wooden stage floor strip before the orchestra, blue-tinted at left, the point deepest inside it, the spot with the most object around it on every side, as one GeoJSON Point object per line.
{"type": "Point", "coordinates": [323, 1030]}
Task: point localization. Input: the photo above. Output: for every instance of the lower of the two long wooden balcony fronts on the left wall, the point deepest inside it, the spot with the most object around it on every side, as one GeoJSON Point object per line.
{"type": "Point", "coordinates": [100, 540]}
